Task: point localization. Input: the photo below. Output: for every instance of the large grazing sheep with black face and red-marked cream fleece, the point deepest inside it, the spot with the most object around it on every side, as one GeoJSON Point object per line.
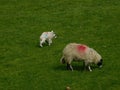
{"type": "Point", "coordinates": [80, 52]}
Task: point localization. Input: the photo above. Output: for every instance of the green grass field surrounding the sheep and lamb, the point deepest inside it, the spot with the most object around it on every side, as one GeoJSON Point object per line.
{"type": "Point", "coordinates": [26, 66]}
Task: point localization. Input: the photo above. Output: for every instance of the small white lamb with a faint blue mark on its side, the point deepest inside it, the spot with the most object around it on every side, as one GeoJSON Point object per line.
{"type": "Point", "coordinates": [47, 36]}
